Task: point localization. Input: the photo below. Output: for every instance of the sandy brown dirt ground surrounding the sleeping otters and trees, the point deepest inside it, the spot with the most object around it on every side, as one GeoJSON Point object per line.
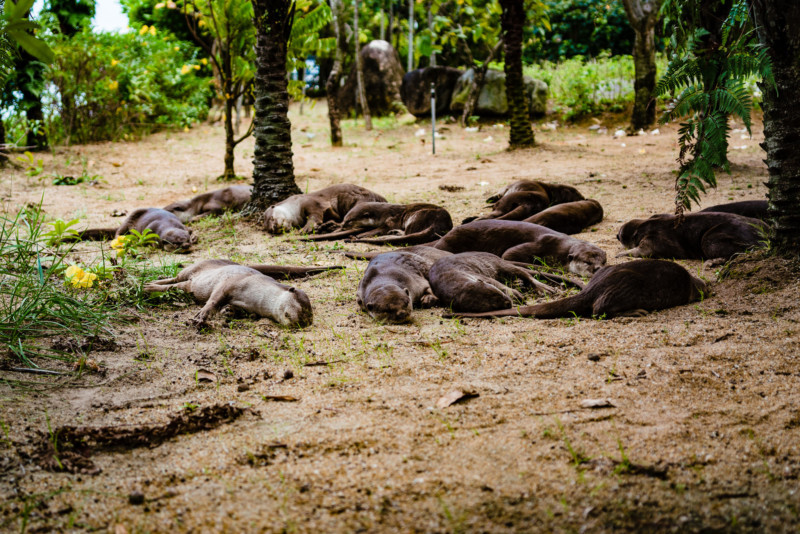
{"type": "Point", "coordinates": [335, 428]}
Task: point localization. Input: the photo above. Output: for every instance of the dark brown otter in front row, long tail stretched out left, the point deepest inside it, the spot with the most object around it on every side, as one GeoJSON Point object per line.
{"type": "Point", "coordinates": [630, 288]}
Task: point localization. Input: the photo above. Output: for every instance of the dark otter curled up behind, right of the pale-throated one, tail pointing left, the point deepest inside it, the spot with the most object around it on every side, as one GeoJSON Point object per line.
{"type": "Point", "coordinates": [417, 223]}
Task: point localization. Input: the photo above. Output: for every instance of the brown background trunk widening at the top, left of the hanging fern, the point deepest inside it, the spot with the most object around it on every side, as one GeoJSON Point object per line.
{"type": "Point", "coordinates": [642, 16]}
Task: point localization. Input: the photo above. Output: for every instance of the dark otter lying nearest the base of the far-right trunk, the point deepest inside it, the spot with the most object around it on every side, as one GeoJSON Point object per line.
{"type": "Point", "coordinates": [700, 236]}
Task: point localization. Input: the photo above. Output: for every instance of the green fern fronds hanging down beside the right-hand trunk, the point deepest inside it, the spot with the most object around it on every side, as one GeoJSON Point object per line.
{"type": "Point", "coordinates": [712, 73]}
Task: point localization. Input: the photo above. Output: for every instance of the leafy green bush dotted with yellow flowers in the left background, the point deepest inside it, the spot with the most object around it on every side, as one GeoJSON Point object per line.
{"type": "Point", "coordinates": [115, 85]}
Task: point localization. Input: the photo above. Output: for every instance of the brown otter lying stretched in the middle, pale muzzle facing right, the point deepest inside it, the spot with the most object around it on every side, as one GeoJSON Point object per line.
{"type": "Point", "coordinates": [521, 241]}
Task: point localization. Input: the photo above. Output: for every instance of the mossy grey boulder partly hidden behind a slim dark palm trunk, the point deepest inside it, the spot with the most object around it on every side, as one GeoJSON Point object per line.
{"type": "Point", "coordinates": [492, 100]}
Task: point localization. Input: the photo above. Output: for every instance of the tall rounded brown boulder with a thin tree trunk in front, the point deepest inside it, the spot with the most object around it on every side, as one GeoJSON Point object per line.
{"type": "Point", "coordinates": [383, 75]}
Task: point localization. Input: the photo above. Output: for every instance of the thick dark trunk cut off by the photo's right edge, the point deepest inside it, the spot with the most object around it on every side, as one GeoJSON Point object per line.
{"type": "Point", "coordinates": [778, 26]}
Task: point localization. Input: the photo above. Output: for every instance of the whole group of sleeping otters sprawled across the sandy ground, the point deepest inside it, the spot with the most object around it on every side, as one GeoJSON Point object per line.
{"type": "Point", "coordinates": [464, 269]}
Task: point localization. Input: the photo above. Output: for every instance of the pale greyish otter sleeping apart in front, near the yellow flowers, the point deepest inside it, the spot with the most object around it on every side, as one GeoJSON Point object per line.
{"type": "Point", "coordinates": [247, 287]}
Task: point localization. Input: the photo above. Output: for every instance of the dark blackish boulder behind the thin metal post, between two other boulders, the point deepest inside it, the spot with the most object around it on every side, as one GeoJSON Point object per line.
{"type": "Point", "coordinates": [416, 89]}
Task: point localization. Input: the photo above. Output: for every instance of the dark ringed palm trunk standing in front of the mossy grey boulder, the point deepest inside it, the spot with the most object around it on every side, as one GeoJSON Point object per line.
{"type": "Point", "coordinates": [513, 19]}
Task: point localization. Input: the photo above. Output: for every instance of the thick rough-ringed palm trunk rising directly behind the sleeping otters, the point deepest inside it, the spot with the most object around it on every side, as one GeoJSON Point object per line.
{"type": "Point", "coordinates": [273, 172]}
